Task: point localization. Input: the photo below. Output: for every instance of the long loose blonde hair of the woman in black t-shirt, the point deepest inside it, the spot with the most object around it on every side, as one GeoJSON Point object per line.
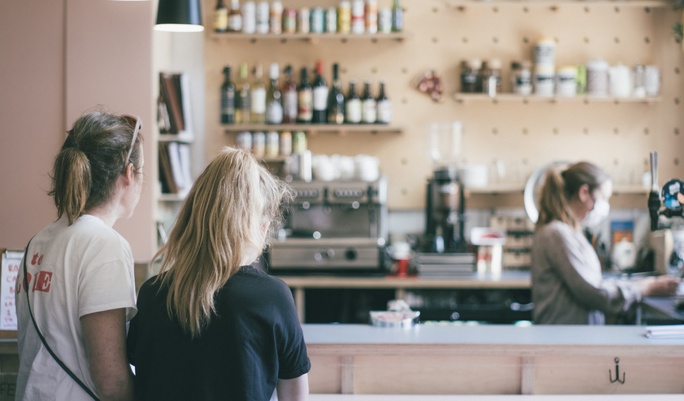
{"type": "Point", "coordinates": [220, 222]}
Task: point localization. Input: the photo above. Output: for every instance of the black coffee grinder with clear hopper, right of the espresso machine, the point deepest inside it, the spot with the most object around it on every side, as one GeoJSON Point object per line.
{"type": "Point", "coordinates": [445, 200]}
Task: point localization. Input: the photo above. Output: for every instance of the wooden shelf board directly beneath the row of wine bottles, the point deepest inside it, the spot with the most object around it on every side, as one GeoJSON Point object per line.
{"type": "Point", "coordinates": [315, 128]}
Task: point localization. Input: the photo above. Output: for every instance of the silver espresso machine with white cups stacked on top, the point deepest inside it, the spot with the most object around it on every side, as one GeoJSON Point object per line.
{"type": "Point", "coordinates": [333, 227]}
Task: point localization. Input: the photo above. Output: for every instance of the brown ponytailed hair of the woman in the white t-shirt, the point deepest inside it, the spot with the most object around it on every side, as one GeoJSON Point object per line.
{"type": "Point", "coordinates": [91, 159]}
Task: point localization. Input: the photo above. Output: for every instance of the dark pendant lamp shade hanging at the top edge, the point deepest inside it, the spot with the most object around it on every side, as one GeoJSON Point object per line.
{"type": "Point", "coordinates": [179, 16]}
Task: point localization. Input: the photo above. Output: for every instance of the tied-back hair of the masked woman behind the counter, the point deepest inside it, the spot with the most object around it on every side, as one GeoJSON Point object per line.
{"type": "Point", "coordinates": [561, 186]}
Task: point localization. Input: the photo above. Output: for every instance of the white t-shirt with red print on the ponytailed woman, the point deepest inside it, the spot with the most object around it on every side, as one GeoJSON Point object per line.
{"type": "Point", "coordinates": [74, 271]}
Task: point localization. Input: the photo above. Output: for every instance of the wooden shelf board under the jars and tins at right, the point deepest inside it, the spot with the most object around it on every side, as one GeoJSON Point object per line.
{"type": "Point", "coordinates": [466, 98]}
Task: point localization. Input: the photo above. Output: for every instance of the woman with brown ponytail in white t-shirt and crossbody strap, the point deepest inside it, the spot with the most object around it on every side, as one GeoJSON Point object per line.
{"type": "Point", "coordinates": [79, 281]}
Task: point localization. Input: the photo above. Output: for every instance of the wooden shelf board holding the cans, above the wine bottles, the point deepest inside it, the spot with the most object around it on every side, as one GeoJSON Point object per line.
{"type": "Point", "coordinates": [310, 37]}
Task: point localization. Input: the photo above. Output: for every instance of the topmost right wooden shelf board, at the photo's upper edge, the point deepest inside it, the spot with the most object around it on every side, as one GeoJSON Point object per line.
{"type": "Point", "coordinates": [554, 5]}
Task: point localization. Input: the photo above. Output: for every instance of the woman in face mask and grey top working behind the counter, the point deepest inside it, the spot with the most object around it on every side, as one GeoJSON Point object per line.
{"type": "Point", "coordinates": [567, 280]}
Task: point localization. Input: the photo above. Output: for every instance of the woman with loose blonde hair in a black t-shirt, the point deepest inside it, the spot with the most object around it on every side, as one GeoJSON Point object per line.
{"type": "Point", "coordinates": [210, 326]}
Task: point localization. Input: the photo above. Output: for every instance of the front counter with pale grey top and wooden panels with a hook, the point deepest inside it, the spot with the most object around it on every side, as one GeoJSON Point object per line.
{"type": "Point", "coordinates": [488, 359]}
